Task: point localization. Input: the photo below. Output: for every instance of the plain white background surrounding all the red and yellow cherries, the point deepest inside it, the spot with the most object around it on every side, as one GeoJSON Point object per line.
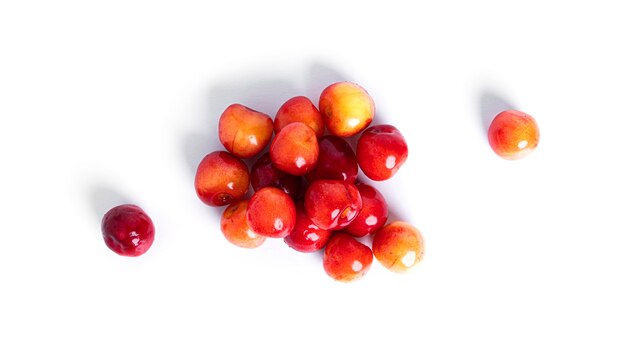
{"type": "Point", "coordinates": [103, 102]}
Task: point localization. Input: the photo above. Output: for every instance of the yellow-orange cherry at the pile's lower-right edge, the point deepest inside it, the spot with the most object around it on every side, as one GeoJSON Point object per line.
{"type": "Point", "coordinates": [398, 246]}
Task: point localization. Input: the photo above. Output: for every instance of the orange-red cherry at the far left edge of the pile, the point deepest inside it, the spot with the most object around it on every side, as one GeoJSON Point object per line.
{"type": "Point", "coordinates": [221, 179]}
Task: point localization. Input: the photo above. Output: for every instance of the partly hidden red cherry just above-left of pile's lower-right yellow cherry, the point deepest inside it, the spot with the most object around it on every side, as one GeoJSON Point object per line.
{"type": "Point", "coordinates": [373, 214]}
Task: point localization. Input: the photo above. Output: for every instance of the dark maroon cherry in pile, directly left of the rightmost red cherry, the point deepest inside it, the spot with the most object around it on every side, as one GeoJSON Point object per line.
{"type": "Point", "coordinates": [336, 161]}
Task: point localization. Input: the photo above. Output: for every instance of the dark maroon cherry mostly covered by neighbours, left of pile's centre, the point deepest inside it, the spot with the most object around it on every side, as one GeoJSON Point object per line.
{"type": "Point", "coordinates": [264, 174]}
